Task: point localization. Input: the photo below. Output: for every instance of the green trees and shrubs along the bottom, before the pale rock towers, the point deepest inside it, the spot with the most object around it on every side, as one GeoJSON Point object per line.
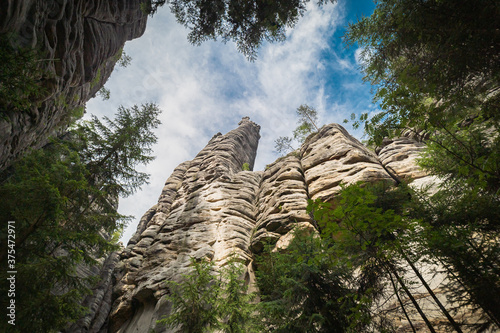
{"type": "Point", "coordinates": [370, 237]}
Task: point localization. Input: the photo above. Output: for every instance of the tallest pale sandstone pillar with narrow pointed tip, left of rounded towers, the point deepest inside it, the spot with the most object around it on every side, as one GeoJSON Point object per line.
{"type": "Point", "coordinates": [206, 211]}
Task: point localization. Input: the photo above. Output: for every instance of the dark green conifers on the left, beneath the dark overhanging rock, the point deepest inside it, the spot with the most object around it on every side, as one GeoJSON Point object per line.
{"type": "Point", "coordinates": [63, 198]}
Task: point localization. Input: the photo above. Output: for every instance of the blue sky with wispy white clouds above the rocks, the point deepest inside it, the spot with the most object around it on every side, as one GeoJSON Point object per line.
{"type": "Point", "coordinates": [207, 89]}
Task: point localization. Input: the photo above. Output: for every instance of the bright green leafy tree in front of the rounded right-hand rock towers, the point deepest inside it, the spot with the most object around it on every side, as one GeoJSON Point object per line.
{"type": "Point", "coordinates": [367, 230]}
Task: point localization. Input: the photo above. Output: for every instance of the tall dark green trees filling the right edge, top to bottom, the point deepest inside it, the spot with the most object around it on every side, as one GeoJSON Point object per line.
{"type": "Point", "coordinates": [436, 71]}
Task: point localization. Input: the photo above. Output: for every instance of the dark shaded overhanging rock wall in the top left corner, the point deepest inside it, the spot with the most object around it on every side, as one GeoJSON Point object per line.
{"type": "Point", "coordinates": [81, 41]}
